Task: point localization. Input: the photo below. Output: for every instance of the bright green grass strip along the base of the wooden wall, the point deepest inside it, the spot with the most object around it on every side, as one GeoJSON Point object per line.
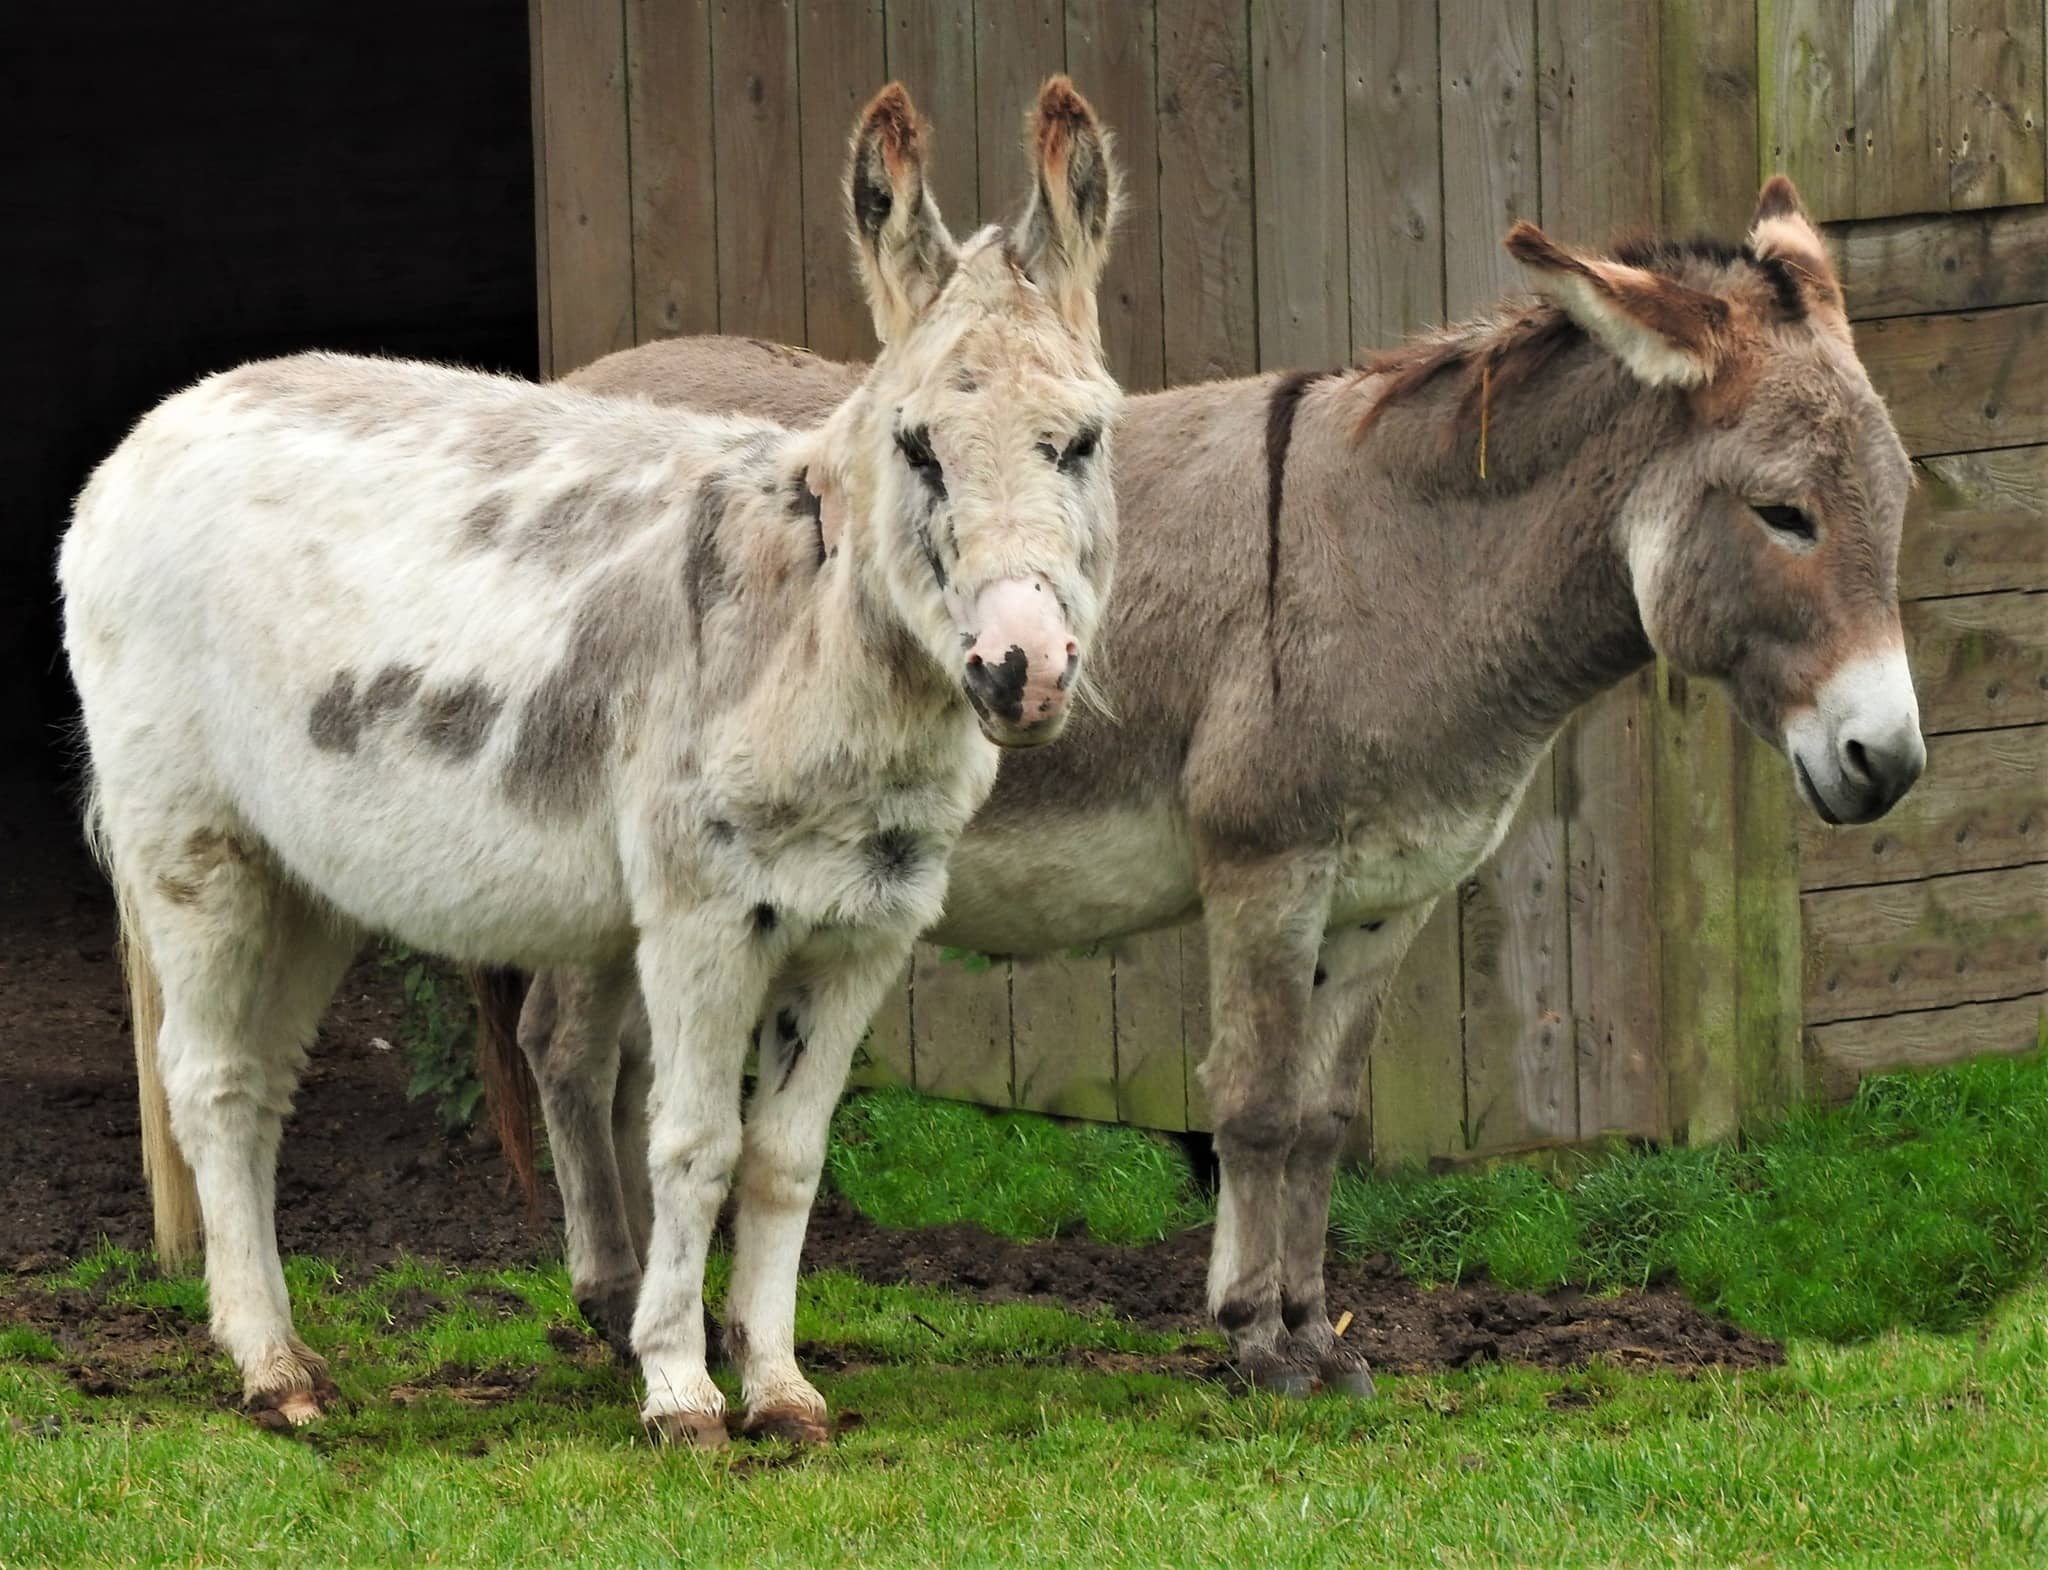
{"type": "Point", "coordinates": [1918, 1205]}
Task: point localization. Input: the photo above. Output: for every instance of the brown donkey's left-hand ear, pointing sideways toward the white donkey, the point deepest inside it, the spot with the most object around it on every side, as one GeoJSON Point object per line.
{"type": "Point", "coordinates": [1666, 333]}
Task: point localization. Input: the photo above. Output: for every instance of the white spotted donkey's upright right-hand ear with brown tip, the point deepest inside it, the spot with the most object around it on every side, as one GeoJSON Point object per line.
{"type": "Point", "coordinates": [1064, 238]}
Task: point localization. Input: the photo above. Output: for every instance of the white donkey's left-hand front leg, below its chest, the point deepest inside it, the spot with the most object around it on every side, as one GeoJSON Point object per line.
{"type": "Point", "coordinates": [706, 977]}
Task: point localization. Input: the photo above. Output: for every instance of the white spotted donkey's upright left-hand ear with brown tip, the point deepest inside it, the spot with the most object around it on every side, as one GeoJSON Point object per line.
{"type": "Point", "coordinates": [906, 253]}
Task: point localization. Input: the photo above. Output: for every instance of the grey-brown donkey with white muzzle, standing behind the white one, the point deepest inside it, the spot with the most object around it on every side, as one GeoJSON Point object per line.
{"type": "Point", "coordinates": [1353, 613]}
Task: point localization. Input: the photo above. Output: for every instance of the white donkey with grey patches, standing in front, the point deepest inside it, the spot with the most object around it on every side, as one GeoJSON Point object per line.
{"type": "Point", "coordinates": [529, 677]}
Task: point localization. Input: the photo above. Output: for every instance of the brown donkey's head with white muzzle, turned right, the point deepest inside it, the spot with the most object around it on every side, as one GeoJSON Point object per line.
{"type": "Point", "coordinates": [1764, 541]}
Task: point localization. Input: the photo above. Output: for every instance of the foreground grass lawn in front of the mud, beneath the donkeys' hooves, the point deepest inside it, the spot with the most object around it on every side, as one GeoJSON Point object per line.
{"type": "Point", "coordinates": [984, 1444]}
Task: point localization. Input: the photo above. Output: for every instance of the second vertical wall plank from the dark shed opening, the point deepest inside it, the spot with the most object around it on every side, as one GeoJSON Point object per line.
{"type": "Point", "coordinates": [675, 193]}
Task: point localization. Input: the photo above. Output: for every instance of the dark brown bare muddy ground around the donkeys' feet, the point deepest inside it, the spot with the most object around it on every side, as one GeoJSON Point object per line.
{"type": "Point", "coordinates": [368, 1174]}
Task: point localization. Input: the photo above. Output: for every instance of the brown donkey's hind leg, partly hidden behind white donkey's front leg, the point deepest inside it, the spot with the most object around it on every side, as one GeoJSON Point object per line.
{"type": "Point", "coordinates": [570, 1037]}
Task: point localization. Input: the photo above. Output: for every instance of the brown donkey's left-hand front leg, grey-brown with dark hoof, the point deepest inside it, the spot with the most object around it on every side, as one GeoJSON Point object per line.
{"type": "Point", "coordinates": [1265, 926]}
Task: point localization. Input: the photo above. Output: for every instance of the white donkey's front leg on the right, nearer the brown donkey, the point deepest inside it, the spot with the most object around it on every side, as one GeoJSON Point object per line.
{"type": "Point", "coordinates": [806, 1047]}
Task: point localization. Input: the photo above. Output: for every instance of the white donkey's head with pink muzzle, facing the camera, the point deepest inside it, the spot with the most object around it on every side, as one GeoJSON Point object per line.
{"type": "Point", "coordinates": [978, 445]}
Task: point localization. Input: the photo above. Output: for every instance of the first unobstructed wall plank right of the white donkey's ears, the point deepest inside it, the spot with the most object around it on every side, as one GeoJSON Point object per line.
{"type": "Point", "coordinates": [1205, 193]}
